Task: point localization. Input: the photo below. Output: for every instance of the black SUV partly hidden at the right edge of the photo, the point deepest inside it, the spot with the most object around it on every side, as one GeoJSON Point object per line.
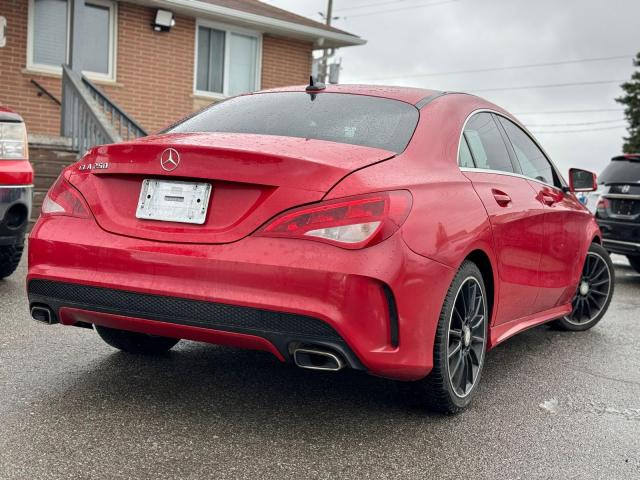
{"type": "Point", "coordinates": [618, 207]}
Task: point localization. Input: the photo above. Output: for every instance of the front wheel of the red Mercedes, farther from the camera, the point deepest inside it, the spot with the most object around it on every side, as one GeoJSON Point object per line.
{"type": "Point", "coordinates": [593, 294]}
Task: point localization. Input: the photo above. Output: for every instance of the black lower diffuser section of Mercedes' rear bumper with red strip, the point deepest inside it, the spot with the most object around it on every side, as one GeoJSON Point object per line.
{"type": "Point", "coordinates": [73, 303]}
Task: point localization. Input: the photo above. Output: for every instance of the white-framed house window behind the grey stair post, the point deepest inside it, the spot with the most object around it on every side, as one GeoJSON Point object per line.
{"type": "Point", "coordinates": [48, 45]}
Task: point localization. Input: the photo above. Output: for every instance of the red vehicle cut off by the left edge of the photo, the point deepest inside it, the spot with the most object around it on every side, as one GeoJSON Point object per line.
{"type": "Point", "coordinates": [16, 186]}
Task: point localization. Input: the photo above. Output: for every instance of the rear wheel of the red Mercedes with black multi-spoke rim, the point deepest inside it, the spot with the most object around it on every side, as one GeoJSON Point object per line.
{"type": "Point", "coordinates": [447, 388]}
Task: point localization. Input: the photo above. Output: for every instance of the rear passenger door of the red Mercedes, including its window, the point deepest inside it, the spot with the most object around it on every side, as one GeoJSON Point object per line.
{"type": "Point", "coordinates": [516, 215]}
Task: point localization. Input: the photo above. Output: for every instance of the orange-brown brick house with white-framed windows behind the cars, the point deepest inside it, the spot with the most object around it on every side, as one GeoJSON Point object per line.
{"type": "Point", "coordinates": [216, 48]}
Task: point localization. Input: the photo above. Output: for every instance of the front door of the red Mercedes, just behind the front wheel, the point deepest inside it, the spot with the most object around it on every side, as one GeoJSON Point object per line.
{"type": "Point", "coordinates": [565, 221]}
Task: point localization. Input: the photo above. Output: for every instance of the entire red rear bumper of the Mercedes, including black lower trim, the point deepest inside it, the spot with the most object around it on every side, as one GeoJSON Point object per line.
{"type": "Point", "coordinates": [377, 307]}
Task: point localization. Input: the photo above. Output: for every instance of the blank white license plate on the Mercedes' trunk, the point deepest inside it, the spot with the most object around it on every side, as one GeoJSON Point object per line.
{"type": "Point", "coordinates": [173, 201]}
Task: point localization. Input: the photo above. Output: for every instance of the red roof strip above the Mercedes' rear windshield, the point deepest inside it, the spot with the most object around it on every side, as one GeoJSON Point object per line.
{"type": "Point", "coordinates": [410, 95]}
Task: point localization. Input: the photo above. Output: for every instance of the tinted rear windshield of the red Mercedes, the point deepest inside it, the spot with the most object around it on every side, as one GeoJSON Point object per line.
{"type": "Point", "coordinates": [354, 119]}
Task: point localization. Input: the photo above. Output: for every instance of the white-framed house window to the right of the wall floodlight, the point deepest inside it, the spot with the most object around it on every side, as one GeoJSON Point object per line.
{"type": "Point", "coordinates": [227, 61]}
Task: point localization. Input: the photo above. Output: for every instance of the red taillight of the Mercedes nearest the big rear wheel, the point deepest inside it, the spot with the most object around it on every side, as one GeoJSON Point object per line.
{"type": "Point", "coordinates": [353, 222]}
